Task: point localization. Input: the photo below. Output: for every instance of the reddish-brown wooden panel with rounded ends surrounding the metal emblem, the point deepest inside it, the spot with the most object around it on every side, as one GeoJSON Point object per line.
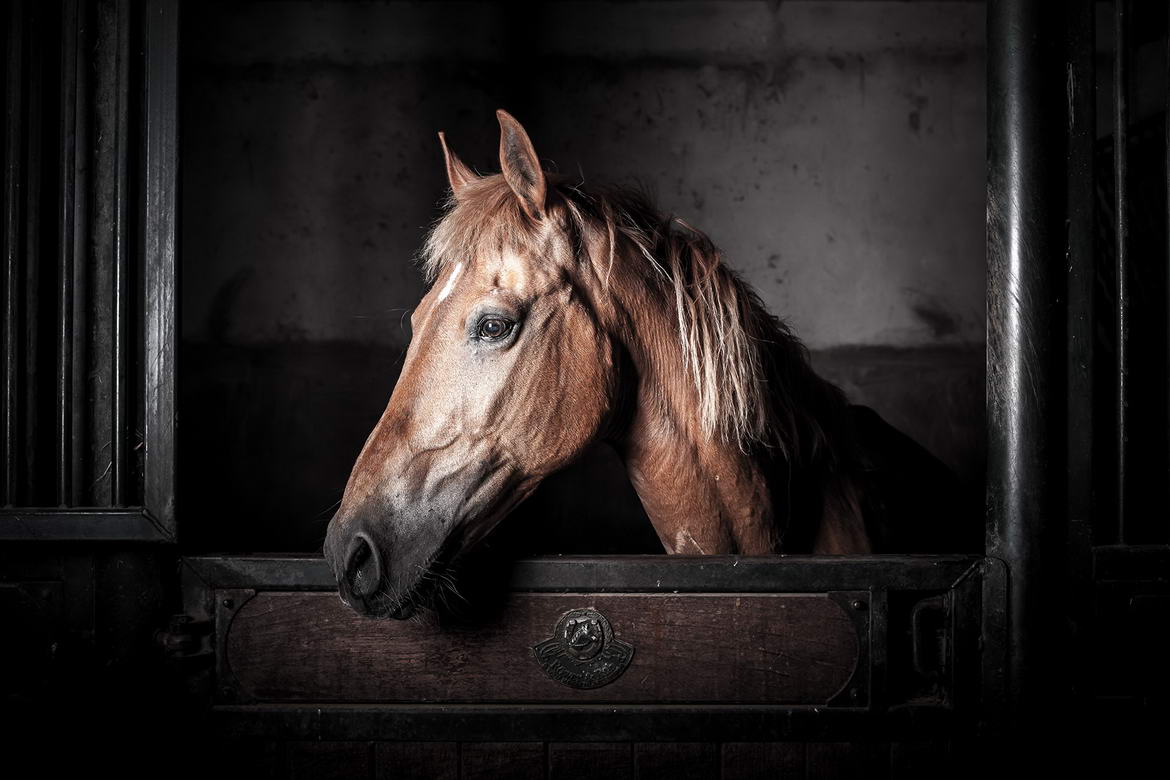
{"type": "Point", "coordinates": [687, 648]}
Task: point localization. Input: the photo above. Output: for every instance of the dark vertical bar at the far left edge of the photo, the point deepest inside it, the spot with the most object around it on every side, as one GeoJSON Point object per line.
{"type": "Point", "coordinates": [13, 195]}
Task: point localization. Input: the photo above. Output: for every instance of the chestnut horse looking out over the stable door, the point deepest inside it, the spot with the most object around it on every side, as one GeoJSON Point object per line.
{"type": "Point", "coordinates": [560, 316]}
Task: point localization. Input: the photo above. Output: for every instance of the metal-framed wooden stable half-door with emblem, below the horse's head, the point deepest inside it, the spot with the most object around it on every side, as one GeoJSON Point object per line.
{"type": "Point", "coordinates": [614, 650]}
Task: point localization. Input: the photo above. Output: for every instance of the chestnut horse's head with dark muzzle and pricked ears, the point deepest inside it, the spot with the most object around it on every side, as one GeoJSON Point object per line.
{"type": "Point", "coordinates": [510, 376]}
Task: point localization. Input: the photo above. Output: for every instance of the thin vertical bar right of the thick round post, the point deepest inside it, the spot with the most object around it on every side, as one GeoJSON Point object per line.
{"type": "Point", "coordinates": [1121, 216]}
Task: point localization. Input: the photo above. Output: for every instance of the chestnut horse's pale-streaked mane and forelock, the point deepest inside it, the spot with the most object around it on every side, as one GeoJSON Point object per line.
{"type": "Point", "coordinates": [752, 375]}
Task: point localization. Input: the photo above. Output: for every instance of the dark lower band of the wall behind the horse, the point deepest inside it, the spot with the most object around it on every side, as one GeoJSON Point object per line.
{"type": "Point", "coordinates": [270, 436]}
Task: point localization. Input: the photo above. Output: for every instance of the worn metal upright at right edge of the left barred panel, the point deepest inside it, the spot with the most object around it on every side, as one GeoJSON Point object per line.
{"type": "Point", "coordinates": [161, 222]}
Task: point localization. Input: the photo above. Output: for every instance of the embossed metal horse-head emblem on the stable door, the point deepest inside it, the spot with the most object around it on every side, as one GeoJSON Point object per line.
{"type": "Point", "coordinates": [583, 652]}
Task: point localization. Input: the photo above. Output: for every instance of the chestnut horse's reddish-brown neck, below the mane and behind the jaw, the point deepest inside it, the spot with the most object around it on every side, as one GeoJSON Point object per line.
{"type": "Point", "coordinates": [705, 495]}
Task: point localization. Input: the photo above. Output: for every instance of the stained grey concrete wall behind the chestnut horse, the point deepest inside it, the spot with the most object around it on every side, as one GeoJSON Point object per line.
{"type": "Point", "coordinates": [835, 150]}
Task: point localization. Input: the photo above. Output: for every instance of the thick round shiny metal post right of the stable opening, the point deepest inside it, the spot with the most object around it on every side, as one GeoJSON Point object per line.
{"type": "Point", "coordinates": [1027, 84]}
